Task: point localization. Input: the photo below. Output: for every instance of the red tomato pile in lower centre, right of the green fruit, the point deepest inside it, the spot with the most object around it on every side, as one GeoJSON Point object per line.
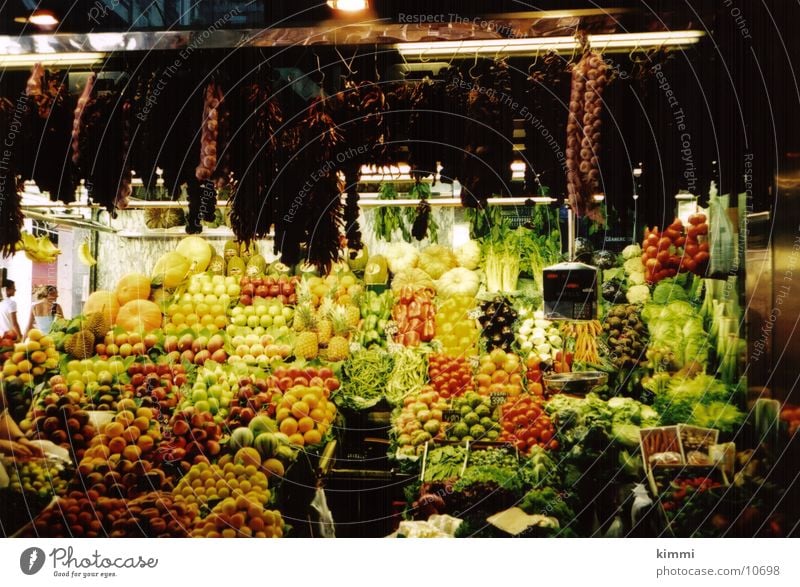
{"type": "Point", "coordinates": [525, 425]}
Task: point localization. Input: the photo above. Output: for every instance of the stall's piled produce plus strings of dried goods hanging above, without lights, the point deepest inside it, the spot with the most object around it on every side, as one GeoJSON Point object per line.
{"type": "Point", "coordinates": [511, 387]}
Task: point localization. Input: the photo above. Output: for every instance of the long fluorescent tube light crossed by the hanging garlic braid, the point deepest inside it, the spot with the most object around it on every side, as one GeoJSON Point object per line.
{"type": "Point", "coordinates": [611, 43]}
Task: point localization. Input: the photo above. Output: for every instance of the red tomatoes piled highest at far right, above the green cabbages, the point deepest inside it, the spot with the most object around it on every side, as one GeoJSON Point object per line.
{"type": "Point", "coordinates": [676, 249]}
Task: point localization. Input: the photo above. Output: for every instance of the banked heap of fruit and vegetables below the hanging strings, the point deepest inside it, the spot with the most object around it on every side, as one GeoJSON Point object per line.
{"type": "Point", "coordinates": [198, 399]}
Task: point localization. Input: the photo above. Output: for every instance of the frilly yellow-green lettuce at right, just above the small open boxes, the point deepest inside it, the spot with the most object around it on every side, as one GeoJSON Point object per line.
{"type": "Point", "coordinates": [700, 401]}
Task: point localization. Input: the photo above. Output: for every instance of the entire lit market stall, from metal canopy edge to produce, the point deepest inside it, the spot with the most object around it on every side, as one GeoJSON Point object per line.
{"type": "Point", "coordinates": [307, 304]}
